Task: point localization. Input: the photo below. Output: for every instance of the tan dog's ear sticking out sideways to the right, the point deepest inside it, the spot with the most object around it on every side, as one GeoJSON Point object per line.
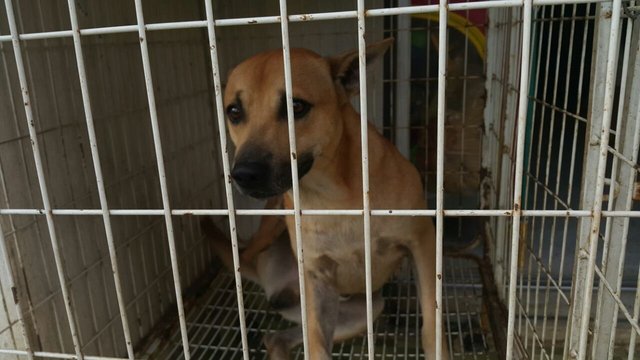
{"type": "Point", "coordinates": [345, 68]}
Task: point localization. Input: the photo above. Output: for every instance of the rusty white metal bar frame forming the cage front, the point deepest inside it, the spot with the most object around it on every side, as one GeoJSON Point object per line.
{"type": "Point", "coordinates": [507, 216]}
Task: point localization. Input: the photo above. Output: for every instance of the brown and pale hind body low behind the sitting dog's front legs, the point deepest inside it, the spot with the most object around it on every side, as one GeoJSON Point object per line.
{"type": "Point", "coordinates": [268, 261]}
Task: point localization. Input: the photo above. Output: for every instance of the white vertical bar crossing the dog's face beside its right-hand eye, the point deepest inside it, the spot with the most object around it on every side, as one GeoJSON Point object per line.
{"type": "Point", "coordinates": [284, 26]}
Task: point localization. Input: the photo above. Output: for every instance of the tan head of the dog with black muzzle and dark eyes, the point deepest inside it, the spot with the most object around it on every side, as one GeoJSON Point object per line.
{"type": "Point", "coordinates": [255, 104]}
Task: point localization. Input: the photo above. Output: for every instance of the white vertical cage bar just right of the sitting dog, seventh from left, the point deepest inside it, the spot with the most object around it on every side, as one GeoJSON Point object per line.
{"type": "Point", "coordinates": [442, 82]}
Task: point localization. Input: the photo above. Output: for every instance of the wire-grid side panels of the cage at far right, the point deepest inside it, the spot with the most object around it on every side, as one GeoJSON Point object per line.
{"type": "Point", "coordinates": [558, 178]}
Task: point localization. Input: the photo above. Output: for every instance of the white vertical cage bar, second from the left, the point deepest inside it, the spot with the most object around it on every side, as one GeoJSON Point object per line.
{"type": "Point", "coordinates": [99, 178]}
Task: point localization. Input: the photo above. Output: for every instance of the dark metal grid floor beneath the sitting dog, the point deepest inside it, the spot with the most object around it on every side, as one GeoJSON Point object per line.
{"type": "Point", "coordinates": [214, 331]}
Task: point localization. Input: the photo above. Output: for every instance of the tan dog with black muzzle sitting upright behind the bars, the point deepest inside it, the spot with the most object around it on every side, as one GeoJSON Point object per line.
{"type": "Point", "coordinates": [329, 167]}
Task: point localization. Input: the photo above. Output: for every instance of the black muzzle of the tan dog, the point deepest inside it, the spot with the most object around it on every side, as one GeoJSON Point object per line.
{"type": "Point", "coordinates": [259, 175]}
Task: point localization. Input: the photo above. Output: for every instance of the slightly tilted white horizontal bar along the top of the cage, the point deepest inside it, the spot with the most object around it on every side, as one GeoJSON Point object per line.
{"type": "Point", "coordinates": [337, 15]}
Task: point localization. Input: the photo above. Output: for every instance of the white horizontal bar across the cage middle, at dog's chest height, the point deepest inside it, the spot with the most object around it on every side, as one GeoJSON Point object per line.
{"type": "Point", "coordinates": [317, 212]}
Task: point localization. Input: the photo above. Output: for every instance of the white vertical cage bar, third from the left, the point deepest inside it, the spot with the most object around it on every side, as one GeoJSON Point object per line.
{"type": "Point", "coordinates": [146, 64]}
